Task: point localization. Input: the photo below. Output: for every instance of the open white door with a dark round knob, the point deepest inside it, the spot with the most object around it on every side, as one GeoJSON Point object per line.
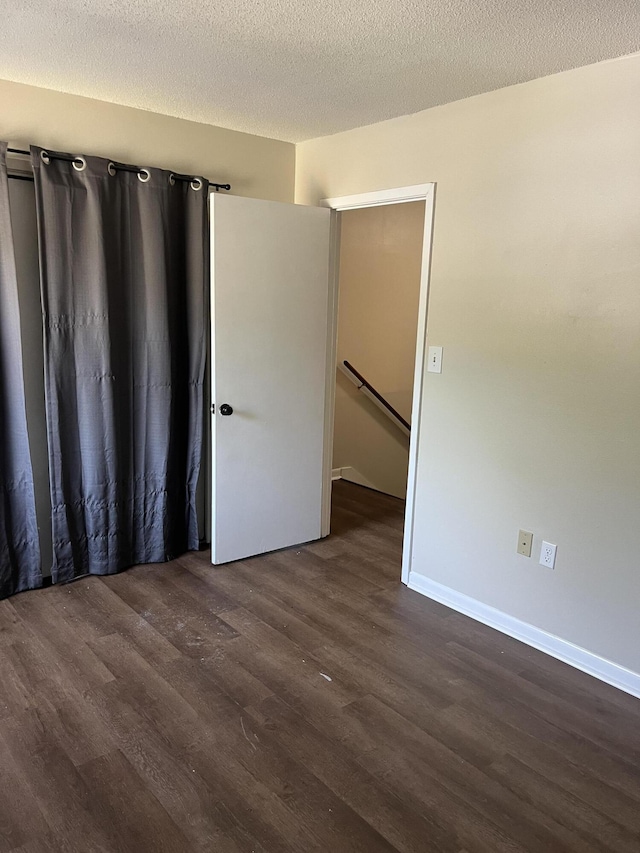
{"type": "Point", "coordinates": [270, 311]}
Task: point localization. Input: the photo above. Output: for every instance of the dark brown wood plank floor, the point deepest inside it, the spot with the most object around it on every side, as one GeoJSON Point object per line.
{"type": "Point", "coordinates": [301, 701]}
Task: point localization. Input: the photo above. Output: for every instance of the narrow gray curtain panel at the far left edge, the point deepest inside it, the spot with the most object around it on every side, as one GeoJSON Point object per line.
{"type": "Point", "coordinates": [19, 547]}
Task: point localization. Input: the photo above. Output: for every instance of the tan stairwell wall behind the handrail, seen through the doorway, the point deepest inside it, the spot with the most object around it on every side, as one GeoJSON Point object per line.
{"type": "Point", "coordinates": [380, 259]}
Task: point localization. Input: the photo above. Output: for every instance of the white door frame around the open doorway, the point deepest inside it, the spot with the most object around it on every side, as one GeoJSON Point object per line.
{"type": "Point", "coordinates": [419, 192]}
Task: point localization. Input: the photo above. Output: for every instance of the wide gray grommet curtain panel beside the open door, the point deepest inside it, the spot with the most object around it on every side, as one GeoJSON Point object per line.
{"type": "Point", "coordinates": [123, 265]}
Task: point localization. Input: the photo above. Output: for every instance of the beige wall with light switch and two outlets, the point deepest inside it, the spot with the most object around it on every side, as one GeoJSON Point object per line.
{"type": "Point", "coordinates": [535, 297]}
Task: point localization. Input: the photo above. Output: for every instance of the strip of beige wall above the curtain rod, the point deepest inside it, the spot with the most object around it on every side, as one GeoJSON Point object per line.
{"type": "Point", "coordinates": [253, 165]}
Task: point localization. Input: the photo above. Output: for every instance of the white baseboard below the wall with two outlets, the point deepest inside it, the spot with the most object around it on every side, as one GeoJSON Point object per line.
{"type": "Point", "coordinates": [612, 673]}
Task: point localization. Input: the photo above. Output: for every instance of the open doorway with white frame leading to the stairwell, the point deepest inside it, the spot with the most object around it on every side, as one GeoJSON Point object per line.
{"type": "Point", "coordinates": [382, 253]}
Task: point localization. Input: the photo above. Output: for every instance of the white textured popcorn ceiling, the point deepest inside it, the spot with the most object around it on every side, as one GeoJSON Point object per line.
{"type": "Point", "coordinates": [297, 69]}
